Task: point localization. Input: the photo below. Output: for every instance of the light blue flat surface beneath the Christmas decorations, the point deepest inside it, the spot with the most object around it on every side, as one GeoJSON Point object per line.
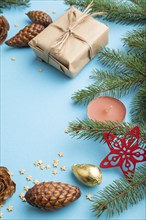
{"type": "Point", "coordinates": [36, 108]}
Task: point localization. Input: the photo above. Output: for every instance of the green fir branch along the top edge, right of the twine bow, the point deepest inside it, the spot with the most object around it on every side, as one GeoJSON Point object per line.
{"type": "Point", "coordinates": [119, 11]}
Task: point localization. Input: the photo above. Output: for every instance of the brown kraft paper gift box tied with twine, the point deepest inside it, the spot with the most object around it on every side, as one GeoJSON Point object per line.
{"type": "Point", "coordinates": [71, 42]}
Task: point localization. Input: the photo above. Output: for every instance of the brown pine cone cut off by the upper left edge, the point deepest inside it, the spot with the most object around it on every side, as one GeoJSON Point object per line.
{"type": "Point", "coordinates": [4, 27]}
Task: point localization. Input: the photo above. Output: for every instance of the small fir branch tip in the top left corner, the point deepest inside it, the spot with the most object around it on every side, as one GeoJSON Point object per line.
{"type": "Point", "coordinates": [8, 3]}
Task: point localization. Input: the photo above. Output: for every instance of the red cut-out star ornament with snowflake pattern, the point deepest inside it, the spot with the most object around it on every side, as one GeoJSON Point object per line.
{"type": "Point", "coordinates": [125, 152]}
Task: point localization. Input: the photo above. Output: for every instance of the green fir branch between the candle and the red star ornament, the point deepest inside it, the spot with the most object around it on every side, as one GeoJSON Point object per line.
{"type": "Point", "coordinates": [88, 129]}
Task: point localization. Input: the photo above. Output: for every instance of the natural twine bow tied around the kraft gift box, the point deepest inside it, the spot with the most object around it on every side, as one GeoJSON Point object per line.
{"type": "Point", "coordinates": [74, 22]}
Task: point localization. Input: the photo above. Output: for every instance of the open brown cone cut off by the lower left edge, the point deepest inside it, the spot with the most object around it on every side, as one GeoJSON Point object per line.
{"type": "Point", "coordinates": [7, 186]}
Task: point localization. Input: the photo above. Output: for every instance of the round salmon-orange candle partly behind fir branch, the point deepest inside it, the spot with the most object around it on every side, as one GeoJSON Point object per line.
{"type": "Point", "coordinates": [106, 108]}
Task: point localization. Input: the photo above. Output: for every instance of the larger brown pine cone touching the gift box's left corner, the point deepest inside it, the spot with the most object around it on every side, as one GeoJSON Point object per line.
{"type": "Point", "coordinates": [25, 35]}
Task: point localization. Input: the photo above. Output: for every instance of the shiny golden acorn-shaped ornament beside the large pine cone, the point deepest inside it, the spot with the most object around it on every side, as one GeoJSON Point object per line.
{"type": "Point", "coordinates": [88, 174]}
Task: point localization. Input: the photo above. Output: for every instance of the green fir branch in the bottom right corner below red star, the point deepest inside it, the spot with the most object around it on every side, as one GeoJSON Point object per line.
{"type": "Point", "coordinates": [116, 197]}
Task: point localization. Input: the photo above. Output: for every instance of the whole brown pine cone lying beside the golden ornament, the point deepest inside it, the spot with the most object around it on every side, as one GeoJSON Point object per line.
{"type": "Point", "coordinates": [52, 195]}
